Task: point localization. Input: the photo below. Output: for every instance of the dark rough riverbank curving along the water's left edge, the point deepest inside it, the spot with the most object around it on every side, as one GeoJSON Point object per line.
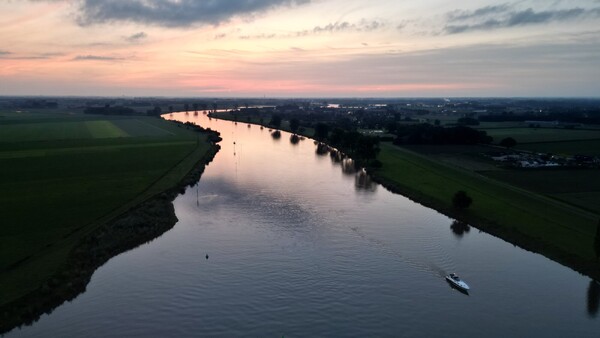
{"type": "Point", "coordinates": [88, 247]}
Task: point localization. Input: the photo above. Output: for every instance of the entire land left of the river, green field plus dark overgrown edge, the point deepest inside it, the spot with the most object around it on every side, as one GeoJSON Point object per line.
{"type": "Point", "coordinates": [65, 187]}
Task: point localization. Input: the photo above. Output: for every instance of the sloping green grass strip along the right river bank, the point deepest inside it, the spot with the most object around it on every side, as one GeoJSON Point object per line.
{"type": "Point", "coordinates": [547, 221]}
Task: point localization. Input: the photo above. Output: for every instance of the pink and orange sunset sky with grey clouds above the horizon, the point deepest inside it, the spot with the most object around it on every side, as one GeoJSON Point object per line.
{"type": "Point", "coordinates": [300, 48]}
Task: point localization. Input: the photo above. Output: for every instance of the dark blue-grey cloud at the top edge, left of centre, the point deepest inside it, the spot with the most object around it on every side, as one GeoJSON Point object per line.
{"type": "Point", "coordinates": [173, 13]}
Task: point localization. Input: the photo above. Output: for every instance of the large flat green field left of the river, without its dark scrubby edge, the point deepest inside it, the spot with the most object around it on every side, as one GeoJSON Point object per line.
{"type": "Point", "coordinates": [62, 176]}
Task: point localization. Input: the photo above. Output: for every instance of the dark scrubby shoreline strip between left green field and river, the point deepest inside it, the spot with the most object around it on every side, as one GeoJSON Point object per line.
{"type": "Point", "coordinates": [139, 225]}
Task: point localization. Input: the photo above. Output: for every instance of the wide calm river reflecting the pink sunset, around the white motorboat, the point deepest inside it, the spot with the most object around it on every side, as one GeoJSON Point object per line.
{"type": "Point", "coordinates": [299, 245]}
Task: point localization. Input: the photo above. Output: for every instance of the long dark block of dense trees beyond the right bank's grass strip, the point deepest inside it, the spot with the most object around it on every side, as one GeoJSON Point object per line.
{"type": "Point", "coordinates": [429, 134]}
